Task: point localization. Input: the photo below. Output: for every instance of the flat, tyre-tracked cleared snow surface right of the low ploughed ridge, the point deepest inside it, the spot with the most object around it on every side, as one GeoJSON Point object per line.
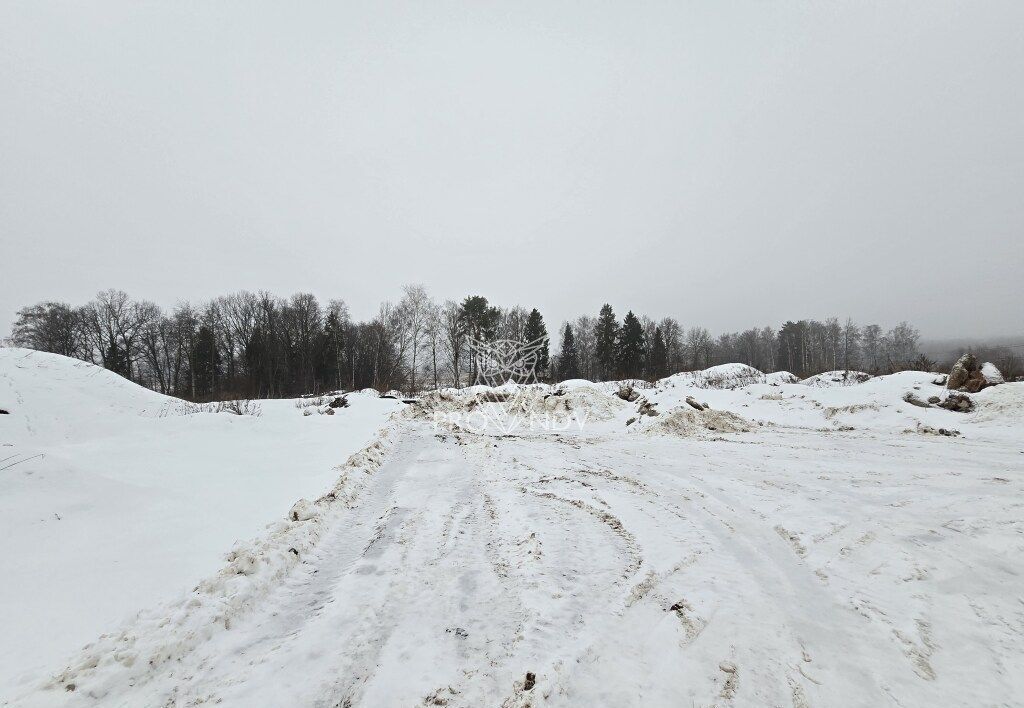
{"type": "Point", "coordinates": [781, 568]}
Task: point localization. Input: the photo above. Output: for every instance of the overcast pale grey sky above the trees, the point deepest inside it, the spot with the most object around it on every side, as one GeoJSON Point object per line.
{"type": "Point", "coordinates": [731, 164]}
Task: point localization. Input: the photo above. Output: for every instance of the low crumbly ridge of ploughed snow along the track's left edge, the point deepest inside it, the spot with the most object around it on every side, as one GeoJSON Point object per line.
{"type": "Point", "coordinates": [166, 633]}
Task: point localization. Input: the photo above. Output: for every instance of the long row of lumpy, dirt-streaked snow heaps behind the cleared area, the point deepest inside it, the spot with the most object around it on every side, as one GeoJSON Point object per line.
{"type": "Point", "coordinates": [838, 401]}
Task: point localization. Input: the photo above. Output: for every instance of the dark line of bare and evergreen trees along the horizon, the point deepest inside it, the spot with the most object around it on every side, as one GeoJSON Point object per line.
{"type": "Point", "coordinates": [250, 346]}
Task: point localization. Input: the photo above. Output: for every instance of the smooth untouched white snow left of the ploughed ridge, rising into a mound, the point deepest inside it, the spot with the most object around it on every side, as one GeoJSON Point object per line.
{"type": "Point", "coordinates": [113, 499]}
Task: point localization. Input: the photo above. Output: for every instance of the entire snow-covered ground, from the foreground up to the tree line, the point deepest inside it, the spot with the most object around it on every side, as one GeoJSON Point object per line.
{"type": "Point", "coordinates": [796, 545]}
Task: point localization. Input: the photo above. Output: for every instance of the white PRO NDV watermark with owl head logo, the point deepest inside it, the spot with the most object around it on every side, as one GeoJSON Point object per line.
{"type": "Point", "coordinates": [515, 401]}
